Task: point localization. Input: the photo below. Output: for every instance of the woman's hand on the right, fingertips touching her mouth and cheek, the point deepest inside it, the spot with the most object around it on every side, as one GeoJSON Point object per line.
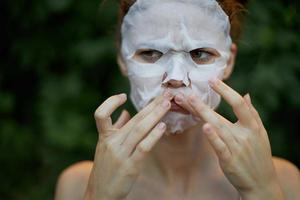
{"type": "Point", "coordinates": [243, 147]}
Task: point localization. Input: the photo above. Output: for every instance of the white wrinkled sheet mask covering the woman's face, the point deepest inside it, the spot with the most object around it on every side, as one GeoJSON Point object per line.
{"type": "Point", "coordinates": [175, 28]}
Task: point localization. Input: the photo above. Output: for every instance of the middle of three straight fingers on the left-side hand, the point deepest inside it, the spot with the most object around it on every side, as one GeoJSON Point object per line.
{"type": "Point", "coordinates": [144, 127]}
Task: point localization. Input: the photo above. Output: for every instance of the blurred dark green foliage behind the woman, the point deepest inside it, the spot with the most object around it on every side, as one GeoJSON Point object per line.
{"type": "Point", "coordinates": [58, 63]}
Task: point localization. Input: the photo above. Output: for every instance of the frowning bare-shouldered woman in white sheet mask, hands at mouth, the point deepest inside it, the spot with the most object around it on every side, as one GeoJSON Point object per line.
{"type": "Point", "coordinates": [176, 54]}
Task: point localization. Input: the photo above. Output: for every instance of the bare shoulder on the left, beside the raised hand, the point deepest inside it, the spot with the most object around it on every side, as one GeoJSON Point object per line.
{"type": "Point", "coordinates": [72, 182]}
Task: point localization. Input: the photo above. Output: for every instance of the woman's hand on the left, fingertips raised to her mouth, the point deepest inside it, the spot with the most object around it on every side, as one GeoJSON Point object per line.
{"type": "Point", "coordinates": [123, 146]}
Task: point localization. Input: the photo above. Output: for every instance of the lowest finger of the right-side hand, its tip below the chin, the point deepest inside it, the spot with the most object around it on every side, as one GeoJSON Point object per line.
{"type": "Point", "coordinates": [216, 142]}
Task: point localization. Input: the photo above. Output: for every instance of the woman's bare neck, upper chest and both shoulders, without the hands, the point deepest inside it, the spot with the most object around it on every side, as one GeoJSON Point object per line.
{"type": "Point", "coordinates": [192, 172]}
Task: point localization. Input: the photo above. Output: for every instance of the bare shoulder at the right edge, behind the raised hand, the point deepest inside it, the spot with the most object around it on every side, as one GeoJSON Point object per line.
{"type": "Point", "coordinates": [289, 177]}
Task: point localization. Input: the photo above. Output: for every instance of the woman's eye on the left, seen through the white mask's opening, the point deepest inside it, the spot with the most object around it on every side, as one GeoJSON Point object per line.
{"type": "Point", "coordinates": [148, 55]}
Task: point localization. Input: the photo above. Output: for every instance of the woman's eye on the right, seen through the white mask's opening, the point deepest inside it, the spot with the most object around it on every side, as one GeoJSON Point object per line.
{"type": "Point", "coordinates": [204, 55]}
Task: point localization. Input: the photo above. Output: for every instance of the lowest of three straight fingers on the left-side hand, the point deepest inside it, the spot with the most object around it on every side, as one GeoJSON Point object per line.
{"type": "Point", "coordinates": [148, 143]}
